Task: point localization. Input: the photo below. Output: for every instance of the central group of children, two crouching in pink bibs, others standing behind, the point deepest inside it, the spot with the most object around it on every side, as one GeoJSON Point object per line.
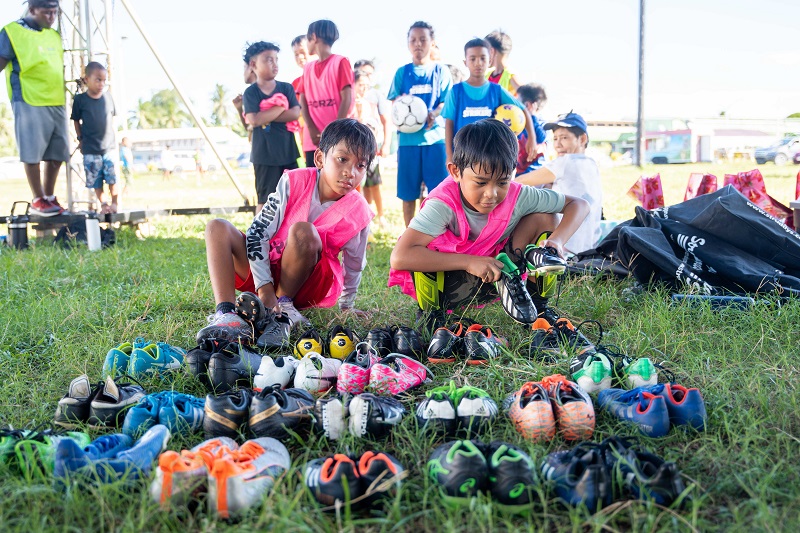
{"type": "Point", "coordinates": [476, 207]}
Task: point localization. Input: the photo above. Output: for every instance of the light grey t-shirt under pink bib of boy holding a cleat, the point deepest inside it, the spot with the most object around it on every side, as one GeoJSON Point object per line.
{"type": "Point", "coordinates": [435, 217]}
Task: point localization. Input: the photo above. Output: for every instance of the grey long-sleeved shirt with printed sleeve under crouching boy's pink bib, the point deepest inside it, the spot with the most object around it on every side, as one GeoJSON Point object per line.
{"type": "Point", "coordinates": [266, 223]}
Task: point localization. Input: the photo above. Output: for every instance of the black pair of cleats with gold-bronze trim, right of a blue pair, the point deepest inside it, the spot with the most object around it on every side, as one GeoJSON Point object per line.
{"type": "Point", "coordinates": [271, 412]}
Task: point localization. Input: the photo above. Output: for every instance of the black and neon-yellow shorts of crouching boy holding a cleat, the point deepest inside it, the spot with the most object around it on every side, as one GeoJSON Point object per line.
{"type": "Point", "coordinates": [459, 289]}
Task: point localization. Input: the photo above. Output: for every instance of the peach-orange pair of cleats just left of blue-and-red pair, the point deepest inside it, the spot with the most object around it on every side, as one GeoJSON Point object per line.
{"type": "Point", "coordinates": [554, 404]}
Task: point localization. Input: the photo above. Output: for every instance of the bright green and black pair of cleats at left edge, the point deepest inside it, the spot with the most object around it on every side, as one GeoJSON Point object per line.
{"type": "Point", "coordinates": [32, 451]}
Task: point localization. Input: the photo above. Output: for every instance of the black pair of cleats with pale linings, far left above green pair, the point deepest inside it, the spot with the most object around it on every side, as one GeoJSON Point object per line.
{"type": "Point", "coordinates": [99, 406]}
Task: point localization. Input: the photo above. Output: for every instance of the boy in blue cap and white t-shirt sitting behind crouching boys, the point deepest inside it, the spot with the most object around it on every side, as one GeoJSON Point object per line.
{"type": "Point", "coordinates": [572, 173]}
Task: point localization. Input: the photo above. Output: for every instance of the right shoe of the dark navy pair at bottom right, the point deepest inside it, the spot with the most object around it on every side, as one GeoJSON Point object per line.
{"type": "Point", "coordinates": [648, 476]}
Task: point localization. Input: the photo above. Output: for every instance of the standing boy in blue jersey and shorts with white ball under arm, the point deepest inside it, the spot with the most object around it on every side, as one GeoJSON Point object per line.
{"type": "Point", "coordinates": [421, 155]}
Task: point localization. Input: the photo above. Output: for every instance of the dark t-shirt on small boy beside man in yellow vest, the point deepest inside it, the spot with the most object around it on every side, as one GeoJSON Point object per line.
{"type": "Point", "coordinates": [97, 122]}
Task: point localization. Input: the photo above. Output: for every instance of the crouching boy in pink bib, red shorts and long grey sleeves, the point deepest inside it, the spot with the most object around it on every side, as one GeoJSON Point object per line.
{"type": "Point", "coordinates": [289, 256]}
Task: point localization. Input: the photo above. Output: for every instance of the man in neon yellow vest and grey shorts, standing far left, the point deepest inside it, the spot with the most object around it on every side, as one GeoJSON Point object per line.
{"type": "Point", "coordinates": [33, 52]}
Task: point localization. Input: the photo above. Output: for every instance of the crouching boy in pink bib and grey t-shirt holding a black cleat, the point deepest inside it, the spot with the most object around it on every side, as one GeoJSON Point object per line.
{"type": "Point", "coordinates": [448, 256]}
